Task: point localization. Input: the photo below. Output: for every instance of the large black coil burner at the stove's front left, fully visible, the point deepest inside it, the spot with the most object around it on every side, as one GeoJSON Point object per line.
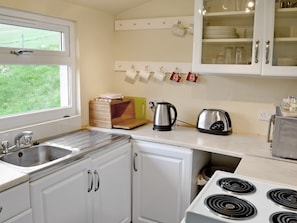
{"type": "Point", "coordinates": [231, 207]}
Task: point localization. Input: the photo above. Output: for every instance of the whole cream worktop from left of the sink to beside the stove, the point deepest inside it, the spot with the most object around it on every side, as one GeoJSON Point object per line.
{"type": "Point", "coordinates": [255, 153]}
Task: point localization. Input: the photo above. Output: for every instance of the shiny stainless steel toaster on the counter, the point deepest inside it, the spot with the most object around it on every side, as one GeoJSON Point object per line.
{"type": "Point", "coordinates": [214, 121]}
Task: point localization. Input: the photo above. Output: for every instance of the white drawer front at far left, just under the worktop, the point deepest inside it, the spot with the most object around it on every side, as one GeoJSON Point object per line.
{"type": "Point", "coordinates": [14, 201]}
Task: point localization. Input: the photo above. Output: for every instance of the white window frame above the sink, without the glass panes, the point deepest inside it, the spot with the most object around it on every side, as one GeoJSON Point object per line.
{"type": "Point", "coordinates": [42, 57]}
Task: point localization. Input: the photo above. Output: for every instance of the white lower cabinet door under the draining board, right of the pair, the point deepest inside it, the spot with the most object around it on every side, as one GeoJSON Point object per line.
{"type": "Point", "coordinates": [112, 185]}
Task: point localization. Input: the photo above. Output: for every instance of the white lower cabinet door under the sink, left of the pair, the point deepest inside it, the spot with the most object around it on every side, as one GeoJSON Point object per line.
{"type": "Point", "coordinates": [63, 197]}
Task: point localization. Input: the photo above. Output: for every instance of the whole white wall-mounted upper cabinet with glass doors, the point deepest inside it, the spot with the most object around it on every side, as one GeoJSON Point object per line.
{"type": "Point", "coordinates": [255, 37]}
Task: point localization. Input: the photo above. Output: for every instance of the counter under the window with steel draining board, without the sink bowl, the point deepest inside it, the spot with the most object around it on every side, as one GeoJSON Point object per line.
{"type": "Point", "coordinates": [81, 143]}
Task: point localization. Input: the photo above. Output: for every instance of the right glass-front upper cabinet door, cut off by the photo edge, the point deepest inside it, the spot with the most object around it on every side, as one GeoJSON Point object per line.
{"type": "Point", "coordinates": [280, 44]}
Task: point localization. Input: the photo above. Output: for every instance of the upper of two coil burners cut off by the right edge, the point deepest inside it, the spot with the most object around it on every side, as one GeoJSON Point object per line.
{"type": "Point", "coordinates": [284, 197]}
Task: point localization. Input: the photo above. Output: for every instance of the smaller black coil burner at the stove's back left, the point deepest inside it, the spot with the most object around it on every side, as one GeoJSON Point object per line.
{"type": "Point", "coordinates": [236, 185]}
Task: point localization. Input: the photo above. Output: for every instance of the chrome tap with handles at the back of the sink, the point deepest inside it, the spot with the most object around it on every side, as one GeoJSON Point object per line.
{"type": "Point", "coordinates": [17, 142]}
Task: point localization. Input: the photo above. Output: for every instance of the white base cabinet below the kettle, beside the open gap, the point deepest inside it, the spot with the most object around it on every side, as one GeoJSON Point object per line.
{"type": "Point", "coordinates": [163, 181]}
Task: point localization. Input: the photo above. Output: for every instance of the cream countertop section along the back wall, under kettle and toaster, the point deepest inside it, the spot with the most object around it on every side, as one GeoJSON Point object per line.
{"type": "Point", "coordinates": [232, 145]}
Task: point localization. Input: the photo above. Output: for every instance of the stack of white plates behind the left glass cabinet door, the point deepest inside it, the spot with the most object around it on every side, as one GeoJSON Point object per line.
{"type": "Point", "coordinates": [219, 32]}
